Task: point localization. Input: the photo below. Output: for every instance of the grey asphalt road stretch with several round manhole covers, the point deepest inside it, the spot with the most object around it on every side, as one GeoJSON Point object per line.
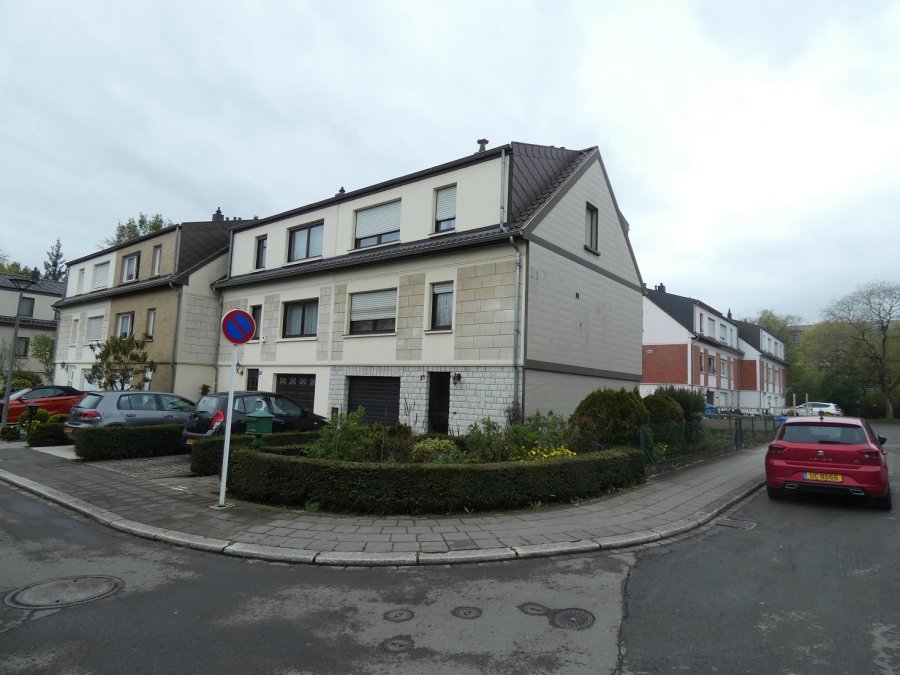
{"type": "Point", "coordinates": [172, 610]}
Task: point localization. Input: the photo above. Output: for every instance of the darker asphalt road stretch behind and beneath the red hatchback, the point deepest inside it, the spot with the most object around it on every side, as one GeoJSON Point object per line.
{"type": "Point", "coordinates": [802, 585]}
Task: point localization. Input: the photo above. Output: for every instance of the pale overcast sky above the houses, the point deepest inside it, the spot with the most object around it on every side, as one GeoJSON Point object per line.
{"type": "Point", "coordinates": [753, 145]}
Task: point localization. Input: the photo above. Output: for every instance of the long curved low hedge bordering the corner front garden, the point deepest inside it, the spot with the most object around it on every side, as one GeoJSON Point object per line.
{"type": "Point", "coordinates": [427, 488]}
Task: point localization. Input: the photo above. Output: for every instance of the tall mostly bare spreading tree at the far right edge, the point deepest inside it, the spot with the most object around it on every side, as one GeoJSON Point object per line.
{"type": "Point", "coordinates": [865, 338]}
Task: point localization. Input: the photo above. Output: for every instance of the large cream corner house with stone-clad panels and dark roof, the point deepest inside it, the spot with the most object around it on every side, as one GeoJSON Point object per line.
{"type": "Point", "coordinates": [500, 282]}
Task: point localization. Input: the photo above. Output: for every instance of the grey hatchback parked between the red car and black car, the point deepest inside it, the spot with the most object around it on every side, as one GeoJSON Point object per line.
{"type": "Point", "coordinates": [127, 408]}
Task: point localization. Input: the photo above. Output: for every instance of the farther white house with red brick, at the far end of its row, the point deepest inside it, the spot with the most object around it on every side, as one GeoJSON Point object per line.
{"type": "Point", "coordinates": [763, 377]}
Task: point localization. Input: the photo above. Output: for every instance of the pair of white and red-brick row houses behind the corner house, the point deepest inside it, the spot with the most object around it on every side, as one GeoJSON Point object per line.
{"type": "Point", "coordinates": [733, 364]}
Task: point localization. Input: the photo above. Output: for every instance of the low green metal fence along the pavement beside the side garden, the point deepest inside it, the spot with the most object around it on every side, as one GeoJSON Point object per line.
{"type": "Point", "coordinates": [672, 440]}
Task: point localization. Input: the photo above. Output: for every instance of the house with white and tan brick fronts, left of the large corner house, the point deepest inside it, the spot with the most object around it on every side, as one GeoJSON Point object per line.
{"type": "Point", "coordinates": [158, 287]}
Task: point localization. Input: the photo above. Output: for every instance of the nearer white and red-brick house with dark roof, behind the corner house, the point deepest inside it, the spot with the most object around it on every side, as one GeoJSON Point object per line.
{"type": "Point", "coordinates": [689, 344]}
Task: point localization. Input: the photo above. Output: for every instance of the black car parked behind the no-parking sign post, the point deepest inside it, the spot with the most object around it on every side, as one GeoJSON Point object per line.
{"type": "Point", "coordinates": [208, 417]}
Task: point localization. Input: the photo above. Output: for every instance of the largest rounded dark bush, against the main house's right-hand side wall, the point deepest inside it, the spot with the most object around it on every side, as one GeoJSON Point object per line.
{"type": "Point", "coordinates": [607, 418]}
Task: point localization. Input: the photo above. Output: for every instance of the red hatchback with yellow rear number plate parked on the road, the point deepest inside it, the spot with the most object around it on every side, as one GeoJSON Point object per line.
{"type": "Point", "coordinates": [836, 455]}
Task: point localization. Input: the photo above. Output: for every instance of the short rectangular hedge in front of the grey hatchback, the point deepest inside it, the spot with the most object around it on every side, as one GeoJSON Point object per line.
{"type": "Point", "coordinates": [129, 442]}
